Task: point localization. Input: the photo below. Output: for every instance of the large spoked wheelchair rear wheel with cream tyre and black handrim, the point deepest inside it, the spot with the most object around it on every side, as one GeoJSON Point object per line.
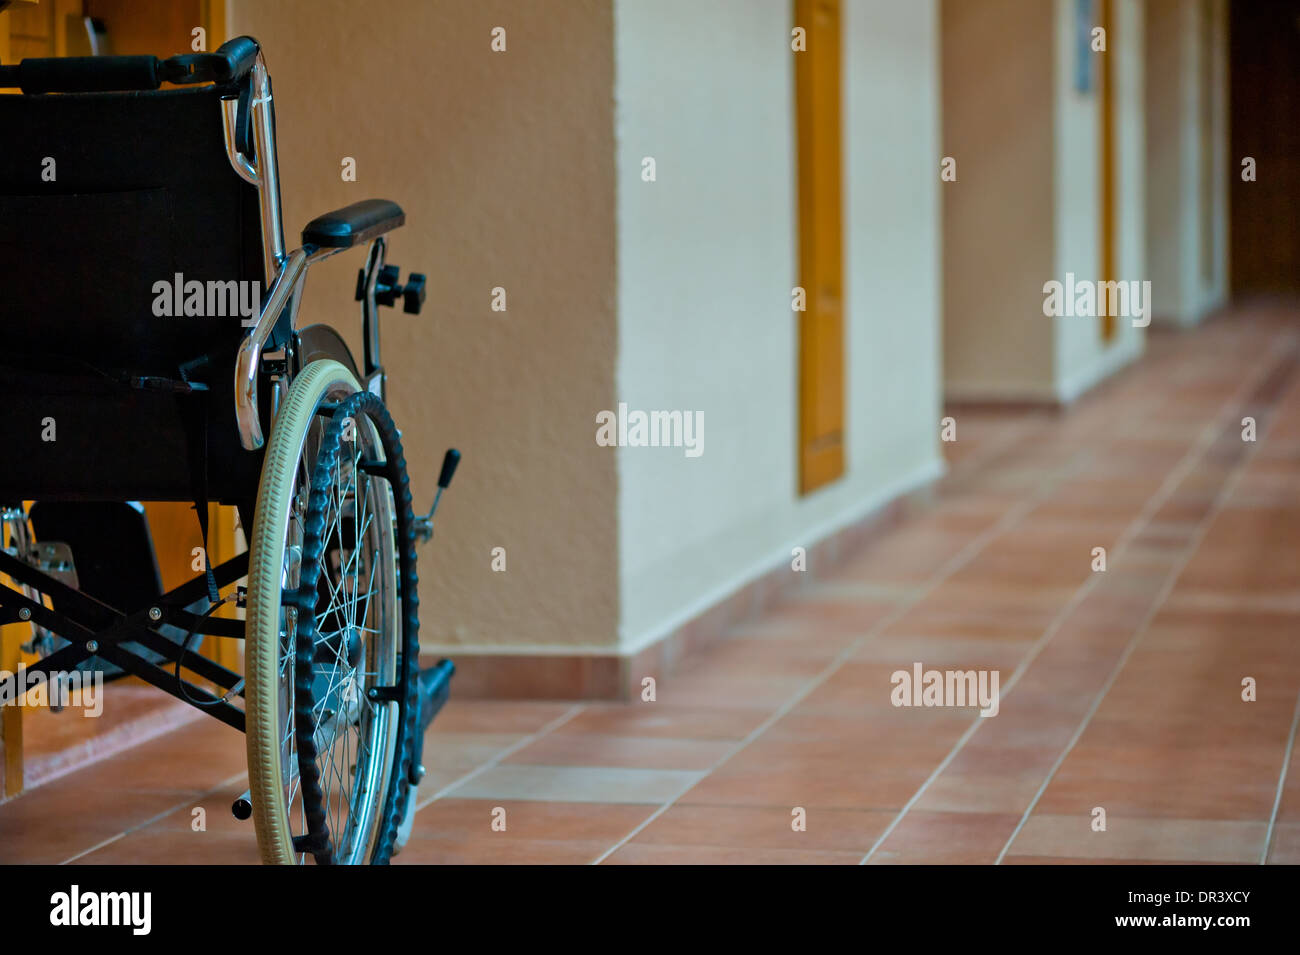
{"type": "Point", "coordinates": [332, 628]}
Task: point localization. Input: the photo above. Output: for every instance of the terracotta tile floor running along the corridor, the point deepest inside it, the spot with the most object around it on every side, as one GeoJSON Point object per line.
{"type": "Point", "coordinates": [1120, 691]}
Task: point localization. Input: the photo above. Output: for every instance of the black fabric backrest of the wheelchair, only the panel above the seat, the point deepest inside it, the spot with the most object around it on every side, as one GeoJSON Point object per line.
{"type": "Point", "coordinates": [142, 192]}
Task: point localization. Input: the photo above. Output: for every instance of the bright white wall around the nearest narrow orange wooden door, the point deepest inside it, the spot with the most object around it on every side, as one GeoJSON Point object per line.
{"type": "Point", "coordinates": [707, 263]}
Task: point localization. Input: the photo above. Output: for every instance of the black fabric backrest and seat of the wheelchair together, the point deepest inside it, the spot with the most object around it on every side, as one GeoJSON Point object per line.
{"type": "Point", "coordinates": [141, 192]}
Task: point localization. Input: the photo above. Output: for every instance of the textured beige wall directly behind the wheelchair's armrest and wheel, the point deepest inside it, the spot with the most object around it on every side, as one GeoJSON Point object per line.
{"type": "Point", "coordinates": [505, 167]}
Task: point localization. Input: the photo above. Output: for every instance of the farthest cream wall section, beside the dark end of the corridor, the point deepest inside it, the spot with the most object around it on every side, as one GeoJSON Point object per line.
{"type": "Point", "coordinates": [1176, 214]}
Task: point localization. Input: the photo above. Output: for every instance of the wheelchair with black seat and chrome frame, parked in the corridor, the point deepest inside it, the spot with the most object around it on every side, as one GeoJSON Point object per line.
{"type": "Point", "coordinates": [153, 354]}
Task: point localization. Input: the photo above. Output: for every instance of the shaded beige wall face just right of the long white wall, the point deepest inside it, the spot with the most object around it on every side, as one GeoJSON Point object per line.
{"type": "Point", "coordinates": [999, 105]}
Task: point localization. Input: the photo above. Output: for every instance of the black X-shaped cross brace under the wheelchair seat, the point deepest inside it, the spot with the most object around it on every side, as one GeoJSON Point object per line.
{"type": "Point", "coordinates": [96, 630]}
